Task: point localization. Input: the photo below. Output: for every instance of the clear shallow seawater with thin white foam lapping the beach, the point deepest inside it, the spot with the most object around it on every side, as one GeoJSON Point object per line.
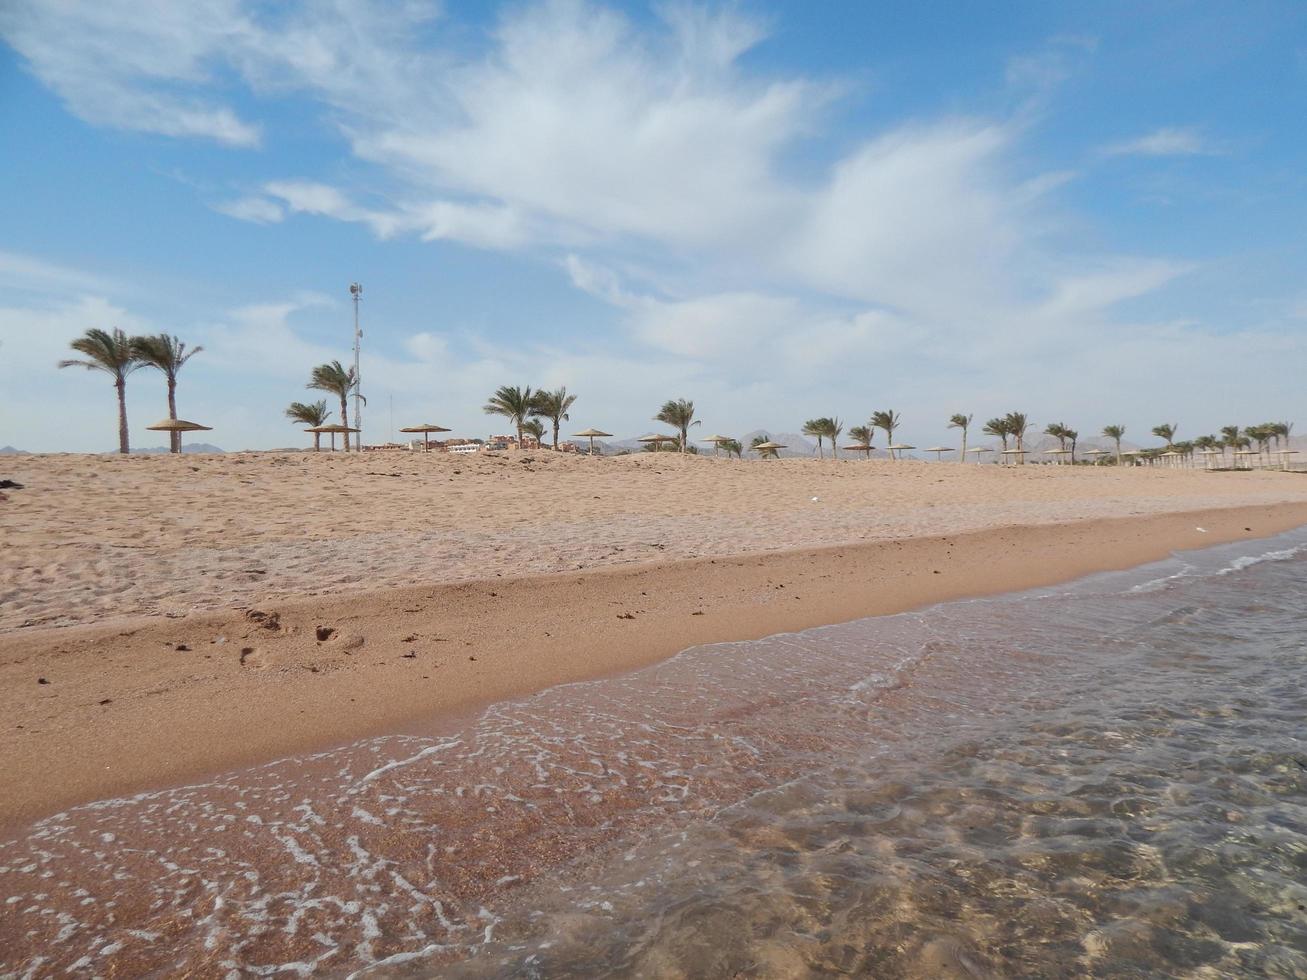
{"type": "Point", "coordinates": [1105, 779]}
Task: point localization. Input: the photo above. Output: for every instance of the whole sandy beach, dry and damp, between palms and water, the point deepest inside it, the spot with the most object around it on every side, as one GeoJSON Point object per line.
{"type": "Point", "coordinates": [198, 613]}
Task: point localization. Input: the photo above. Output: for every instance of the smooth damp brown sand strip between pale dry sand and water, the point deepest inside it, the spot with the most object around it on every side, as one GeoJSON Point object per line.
{"type": "Point", "coordinates": [147, 704]}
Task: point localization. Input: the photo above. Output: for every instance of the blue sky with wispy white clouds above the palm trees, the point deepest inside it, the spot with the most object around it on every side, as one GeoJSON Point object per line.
{"type": "Point", "coordinates": [1089, 212]}
